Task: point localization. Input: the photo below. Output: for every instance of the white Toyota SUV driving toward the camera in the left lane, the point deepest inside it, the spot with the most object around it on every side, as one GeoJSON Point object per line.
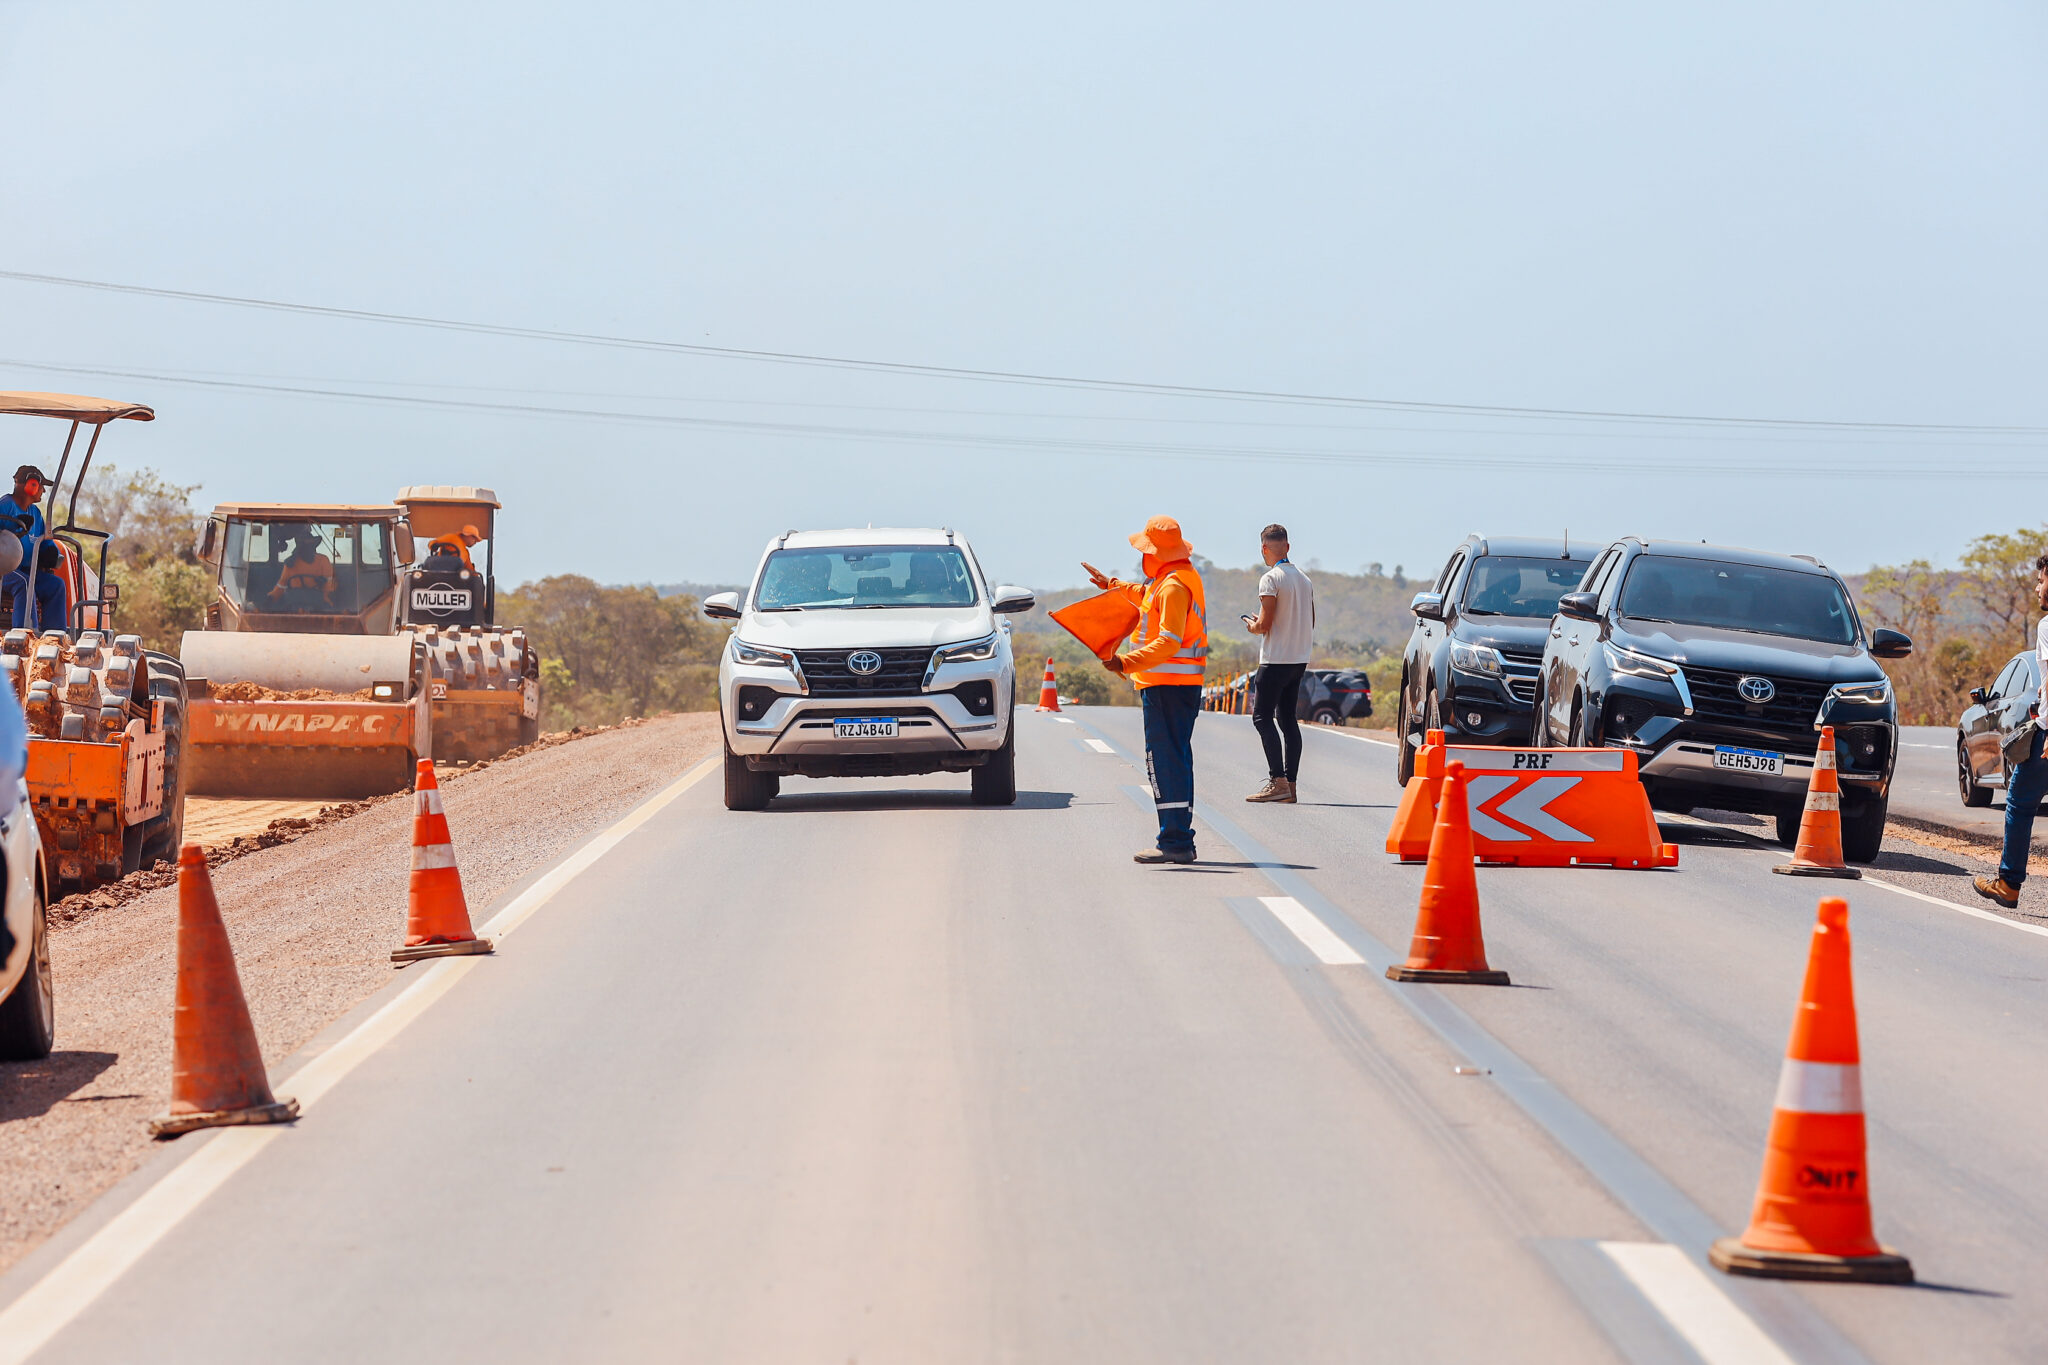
{"type": "Point", "coordinates": [867, 654]}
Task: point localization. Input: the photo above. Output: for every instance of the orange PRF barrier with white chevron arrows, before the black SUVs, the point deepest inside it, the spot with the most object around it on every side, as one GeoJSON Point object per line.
{"type": "Point", "coordinates": [1537, 807]}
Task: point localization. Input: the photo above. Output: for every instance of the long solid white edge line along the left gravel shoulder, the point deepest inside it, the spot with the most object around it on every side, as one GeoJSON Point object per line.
{"type": "Point", "coordinates": [48, 1307]}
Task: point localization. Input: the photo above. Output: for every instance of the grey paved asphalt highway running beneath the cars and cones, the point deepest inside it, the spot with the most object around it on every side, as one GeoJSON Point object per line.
{"type": "Point", "coordinates": [878, 1075]}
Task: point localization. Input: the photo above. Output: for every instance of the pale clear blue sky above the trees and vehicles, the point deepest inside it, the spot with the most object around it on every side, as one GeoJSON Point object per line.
{"type": "Point", "coordinates": [1828, 212]}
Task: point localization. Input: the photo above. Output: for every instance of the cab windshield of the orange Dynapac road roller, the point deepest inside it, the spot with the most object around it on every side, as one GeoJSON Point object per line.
{"type": "Point", "coordinates": [306, 568]}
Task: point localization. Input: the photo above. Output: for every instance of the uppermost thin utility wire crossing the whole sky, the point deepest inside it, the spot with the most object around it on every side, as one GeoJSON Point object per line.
{"type": "Point", "coordinates": [1005, 378]}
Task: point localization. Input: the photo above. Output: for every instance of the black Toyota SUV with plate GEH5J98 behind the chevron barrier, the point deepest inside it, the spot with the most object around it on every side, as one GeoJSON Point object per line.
{"type": "Point", "coordinates": [1719, 668]}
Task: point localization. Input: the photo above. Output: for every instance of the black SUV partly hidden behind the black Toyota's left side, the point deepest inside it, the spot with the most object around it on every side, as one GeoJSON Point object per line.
{"type": "Point", "coordinates": [1480, 633]}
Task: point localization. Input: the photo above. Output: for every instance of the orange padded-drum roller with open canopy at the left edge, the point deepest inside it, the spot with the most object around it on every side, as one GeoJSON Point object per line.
{"type": "Point", "coordinates": [108, 719]}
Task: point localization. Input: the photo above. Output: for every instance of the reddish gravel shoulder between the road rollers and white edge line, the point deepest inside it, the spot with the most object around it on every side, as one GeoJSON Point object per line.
{"type": "Point", "coordinates": [312, 924]}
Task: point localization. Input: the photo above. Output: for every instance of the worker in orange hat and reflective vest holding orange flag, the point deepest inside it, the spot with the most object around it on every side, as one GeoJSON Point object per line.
{"type": "Point", "coordinates": [1168, 658]}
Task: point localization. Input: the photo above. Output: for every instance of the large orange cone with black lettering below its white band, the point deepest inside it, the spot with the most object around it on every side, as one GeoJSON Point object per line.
{"type": "Point", "coordinates": [1814, 1200]}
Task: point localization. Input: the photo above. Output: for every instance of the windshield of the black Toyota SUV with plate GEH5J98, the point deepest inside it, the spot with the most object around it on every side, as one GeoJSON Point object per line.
{"type": "Point", "coordinates": [1705, 592]}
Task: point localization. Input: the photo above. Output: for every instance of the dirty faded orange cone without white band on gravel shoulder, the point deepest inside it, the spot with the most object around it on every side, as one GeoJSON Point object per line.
{"type": "Point", "coordinates": [216, 1067]}
